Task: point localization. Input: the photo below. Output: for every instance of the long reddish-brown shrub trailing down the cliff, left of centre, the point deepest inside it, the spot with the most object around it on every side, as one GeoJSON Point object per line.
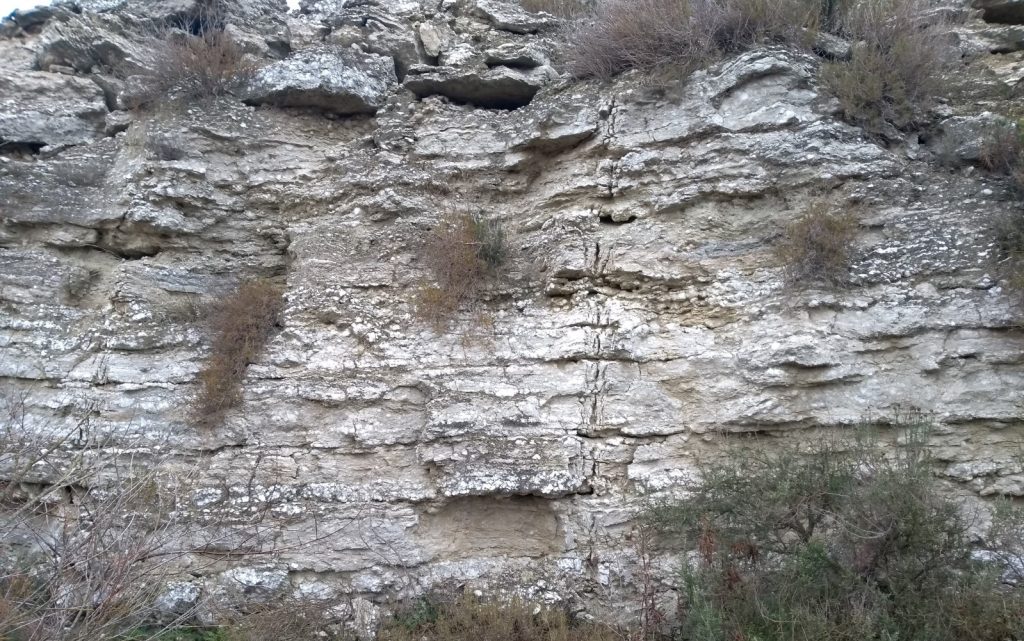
{"type": "Point", "coordinates": [240, 326]}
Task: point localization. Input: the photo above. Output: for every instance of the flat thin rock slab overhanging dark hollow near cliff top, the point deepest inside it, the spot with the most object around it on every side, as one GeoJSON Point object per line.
{"type": "Point", "coordinates": [501, 88]}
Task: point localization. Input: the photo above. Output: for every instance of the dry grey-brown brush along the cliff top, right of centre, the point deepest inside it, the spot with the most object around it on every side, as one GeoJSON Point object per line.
{"type": "Point", "coordinates": [892, 76]}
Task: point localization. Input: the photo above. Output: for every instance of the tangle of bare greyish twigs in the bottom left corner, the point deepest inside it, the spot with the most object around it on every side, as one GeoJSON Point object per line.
{"type": "Point", "coordinates": [88, 528]}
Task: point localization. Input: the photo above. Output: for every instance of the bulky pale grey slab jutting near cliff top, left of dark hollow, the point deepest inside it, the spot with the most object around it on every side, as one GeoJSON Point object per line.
{"type": "Point", "coordinates": [332, 79]}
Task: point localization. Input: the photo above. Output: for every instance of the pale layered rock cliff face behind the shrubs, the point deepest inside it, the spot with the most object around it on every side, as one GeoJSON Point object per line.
{"type": "Point", "coordinates": [642, 321]}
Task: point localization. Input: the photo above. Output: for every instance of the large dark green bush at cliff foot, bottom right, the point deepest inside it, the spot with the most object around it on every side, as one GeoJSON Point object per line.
{"type": "Point", "coordinates": [843, 542]}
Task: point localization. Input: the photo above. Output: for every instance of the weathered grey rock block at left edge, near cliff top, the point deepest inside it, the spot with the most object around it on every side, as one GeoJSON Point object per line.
{"type": "Point", "coordinates": [37, 108]}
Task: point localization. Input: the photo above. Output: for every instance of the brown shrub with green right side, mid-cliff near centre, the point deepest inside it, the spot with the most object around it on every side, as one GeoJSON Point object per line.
{"type": "Point", "coordinates": [463, 252]}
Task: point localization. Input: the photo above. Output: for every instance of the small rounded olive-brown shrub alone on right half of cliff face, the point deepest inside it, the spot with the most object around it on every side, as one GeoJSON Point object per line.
{"type": "Point", "coordinates": [818, 247]}
